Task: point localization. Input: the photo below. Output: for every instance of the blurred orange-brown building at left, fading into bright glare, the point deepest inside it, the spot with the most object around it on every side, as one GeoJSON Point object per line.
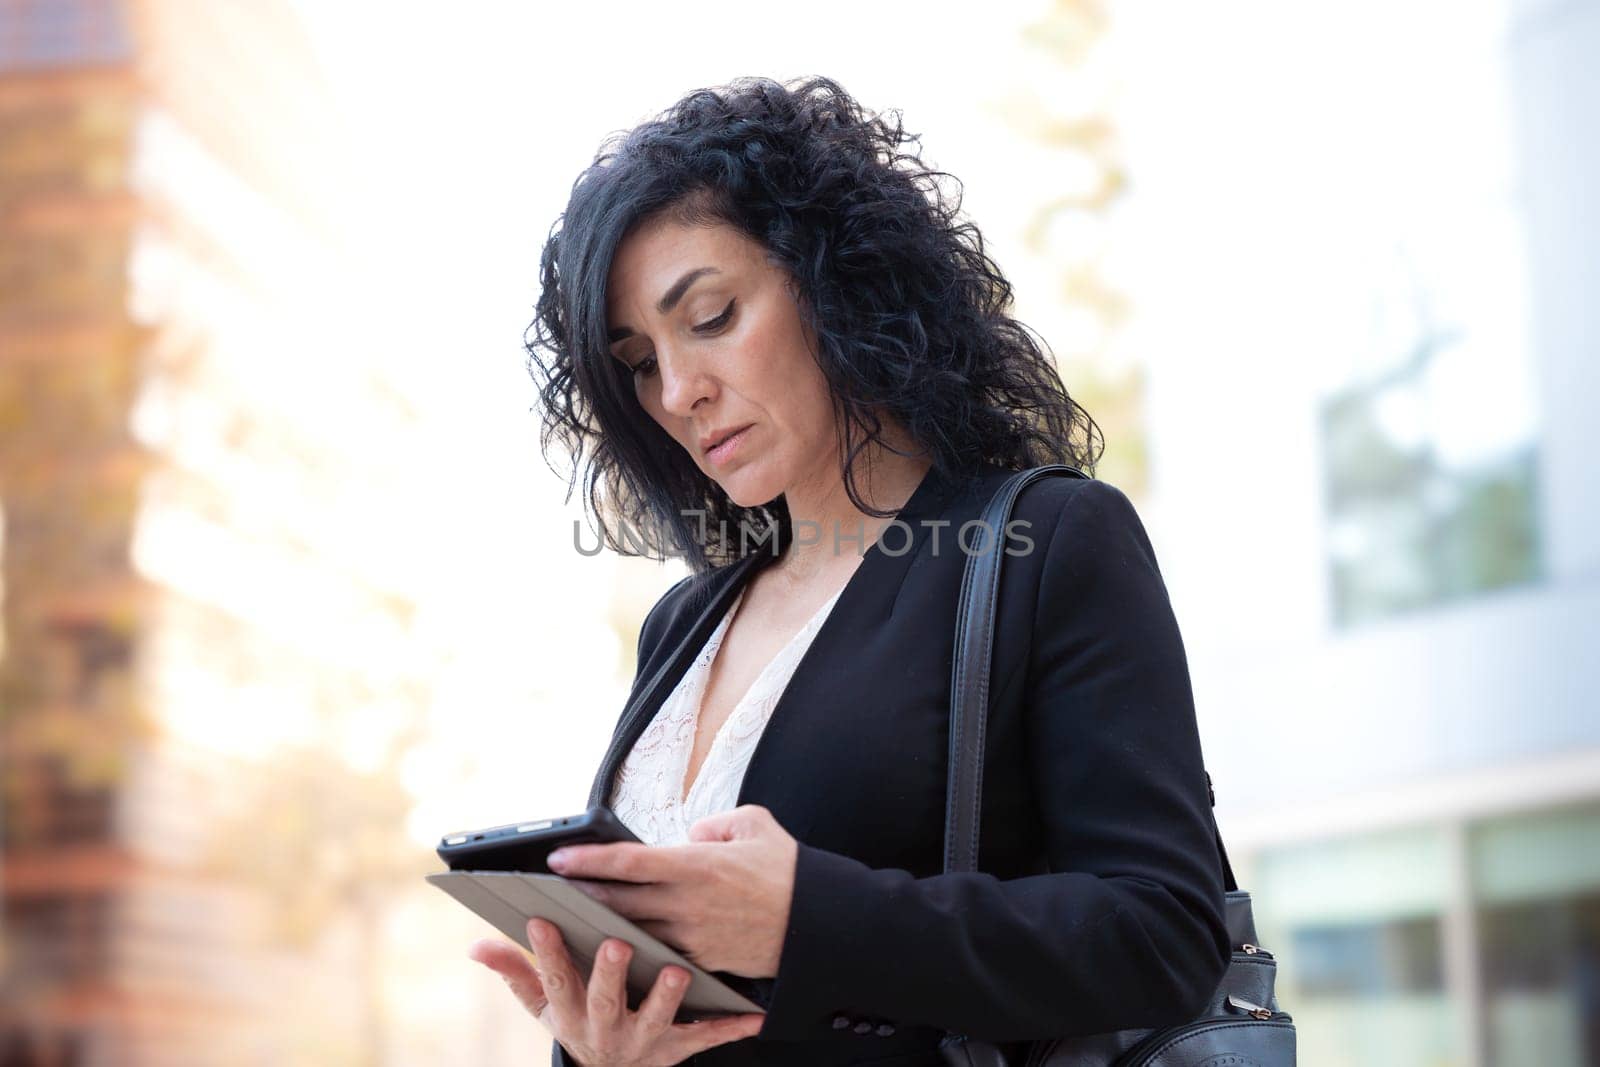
{"type": "Point", "coordinates": [196, 562]}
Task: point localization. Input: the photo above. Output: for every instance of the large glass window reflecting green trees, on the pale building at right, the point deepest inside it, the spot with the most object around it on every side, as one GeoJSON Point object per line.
{"type": "Point", "coordinates": [1430, 423]}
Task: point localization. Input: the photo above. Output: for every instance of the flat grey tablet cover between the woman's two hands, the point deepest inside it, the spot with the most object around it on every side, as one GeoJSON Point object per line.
{"type": "Point", "coordinates": [510, 900]}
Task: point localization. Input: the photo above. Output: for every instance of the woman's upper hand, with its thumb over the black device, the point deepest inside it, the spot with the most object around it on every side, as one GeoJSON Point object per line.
{"type": "Point", "coordinates": [722, 900]}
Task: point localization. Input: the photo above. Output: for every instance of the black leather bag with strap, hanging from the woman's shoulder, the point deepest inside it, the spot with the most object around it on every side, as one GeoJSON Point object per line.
{"type": "Point", "coordinates": [1242, 1025]}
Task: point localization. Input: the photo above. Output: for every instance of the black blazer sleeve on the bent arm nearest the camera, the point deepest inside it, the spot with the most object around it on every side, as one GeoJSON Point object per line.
{"type": "Point", "coordinates": [1129, 930]}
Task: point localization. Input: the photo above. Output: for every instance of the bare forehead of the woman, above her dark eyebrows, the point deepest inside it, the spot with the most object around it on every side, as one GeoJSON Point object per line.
{"type": "Point", "coordinates": [658, 254]}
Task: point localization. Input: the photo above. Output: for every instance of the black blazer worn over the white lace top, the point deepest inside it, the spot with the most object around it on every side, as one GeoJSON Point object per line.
{"type": "Point", "coordinates": [1102, 900]}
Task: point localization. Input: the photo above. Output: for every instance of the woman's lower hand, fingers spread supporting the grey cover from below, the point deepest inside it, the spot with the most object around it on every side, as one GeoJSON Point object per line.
{"type": "Point", "coordinates": [591, 1020]}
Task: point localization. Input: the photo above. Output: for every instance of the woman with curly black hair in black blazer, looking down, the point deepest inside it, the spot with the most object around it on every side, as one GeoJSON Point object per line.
{"type": "Point", "coordinates": [762, 311]}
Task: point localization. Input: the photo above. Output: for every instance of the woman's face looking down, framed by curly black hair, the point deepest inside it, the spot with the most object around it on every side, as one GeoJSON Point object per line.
{"type": "Point", "coordinates": [716, 345]}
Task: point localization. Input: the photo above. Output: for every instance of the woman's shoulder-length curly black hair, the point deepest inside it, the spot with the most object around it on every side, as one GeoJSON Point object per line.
{"type": "Point", "coordinates": [908, 310]}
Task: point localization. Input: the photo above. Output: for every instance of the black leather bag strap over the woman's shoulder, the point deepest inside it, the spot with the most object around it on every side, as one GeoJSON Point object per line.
{"type": "Point", "coordinates": [975, 626]}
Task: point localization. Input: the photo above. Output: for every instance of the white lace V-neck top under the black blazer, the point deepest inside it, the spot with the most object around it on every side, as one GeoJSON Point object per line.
{"type": "Point", "coordinates": [649, 789]}
